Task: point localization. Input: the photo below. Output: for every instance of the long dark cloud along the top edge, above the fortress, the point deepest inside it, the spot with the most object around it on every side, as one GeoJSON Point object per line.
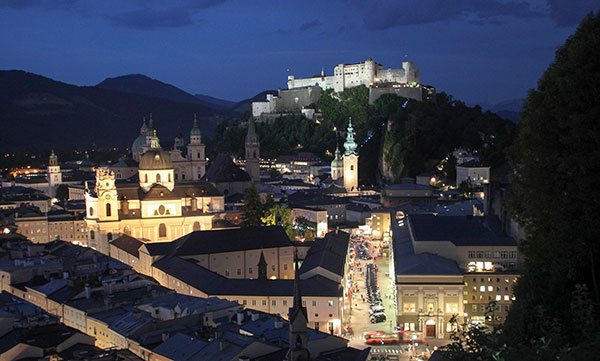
{"type": "Point", "coordinates": [393, 13]}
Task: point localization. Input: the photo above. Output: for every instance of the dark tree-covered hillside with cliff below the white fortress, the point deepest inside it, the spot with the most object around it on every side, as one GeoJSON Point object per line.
{"type": "Point", "coordinates": [397, 137]}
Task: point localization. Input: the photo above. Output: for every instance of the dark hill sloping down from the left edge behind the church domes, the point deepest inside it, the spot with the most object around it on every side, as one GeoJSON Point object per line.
{"type": "Point", "coordinates": [40, 112]}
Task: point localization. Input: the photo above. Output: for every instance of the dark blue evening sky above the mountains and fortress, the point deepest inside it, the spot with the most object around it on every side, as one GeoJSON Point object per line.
{"type": "Point", "coordinates": [476, 50]}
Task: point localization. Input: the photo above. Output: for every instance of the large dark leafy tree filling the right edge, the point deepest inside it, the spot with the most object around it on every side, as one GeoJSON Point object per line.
{"type": "Point", "coordinates": [555, 199]}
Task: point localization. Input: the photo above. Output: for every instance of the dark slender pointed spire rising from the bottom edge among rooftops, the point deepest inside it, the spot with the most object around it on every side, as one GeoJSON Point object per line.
{"type": "Point", "coordinates": [298, 319]}
